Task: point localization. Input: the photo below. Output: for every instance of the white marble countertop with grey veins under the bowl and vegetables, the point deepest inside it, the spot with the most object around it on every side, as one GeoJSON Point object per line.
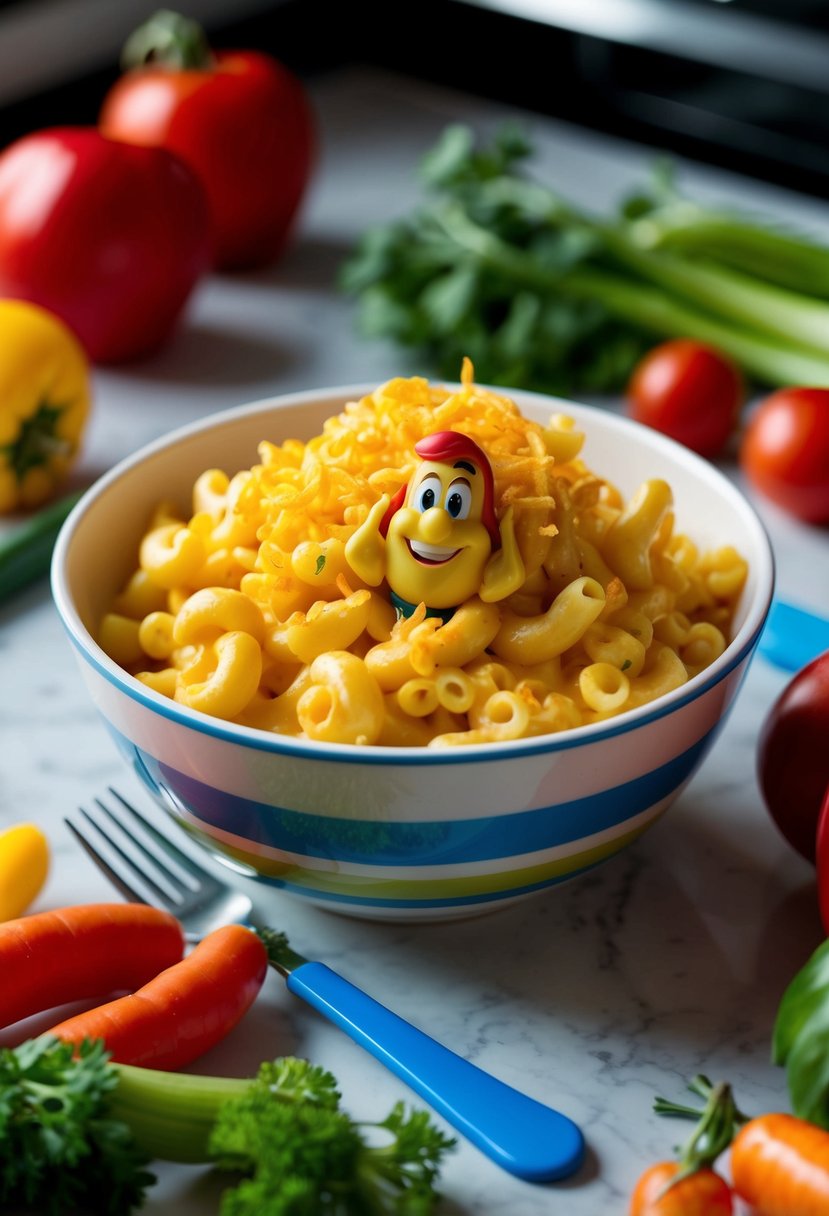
{"type": "Point", "coordinates": [595, 997]}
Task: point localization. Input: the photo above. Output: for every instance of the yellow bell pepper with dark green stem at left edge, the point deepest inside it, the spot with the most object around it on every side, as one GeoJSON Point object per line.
{"type": "Point", "coordinates": [44, 403]}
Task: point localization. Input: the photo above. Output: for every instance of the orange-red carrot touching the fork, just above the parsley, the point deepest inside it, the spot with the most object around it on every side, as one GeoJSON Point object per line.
{"type": "Point", "coordinates": [185, 1011]}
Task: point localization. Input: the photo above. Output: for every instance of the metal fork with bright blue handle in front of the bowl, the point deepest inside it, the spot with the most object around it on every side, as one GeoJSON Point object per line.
{"type": "Point", "coordinates": [523, 1136]}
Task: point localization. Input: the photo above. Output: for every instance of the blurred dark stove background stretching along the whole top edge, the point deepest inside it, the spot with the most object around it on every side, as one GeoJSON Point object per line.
{"type": "Point", "coordinates": [737, 83]}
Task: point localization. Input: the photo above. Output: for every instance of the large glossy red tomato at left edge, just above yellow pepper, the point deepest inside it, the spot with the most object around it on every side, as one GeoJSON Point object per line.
{"type": "Point", "coordinates": [110, 238]}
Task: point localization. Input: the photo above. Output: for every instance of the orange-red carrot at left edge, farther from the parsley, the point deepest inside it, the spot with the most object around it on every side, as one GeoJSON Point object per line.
{"type": "Point", "coordinates": [91, 950]}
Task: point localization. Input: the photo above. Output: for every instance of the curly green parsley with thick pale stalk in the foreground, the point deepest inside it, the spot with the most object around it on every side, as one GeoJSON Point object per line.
{"type": "Point", "coordinates": [80, 1133]}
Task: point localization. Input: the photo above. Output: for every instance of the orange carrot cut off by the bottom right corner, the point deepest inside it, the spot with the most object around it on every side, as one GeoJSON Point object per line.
{"type": "Point", "coordinates": [781, 1167]}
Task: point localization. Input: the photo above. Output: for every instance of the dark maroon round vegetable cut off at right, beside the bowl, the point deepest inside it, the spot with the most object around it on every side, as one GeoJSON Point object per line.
{"type": "Point", "coordinates": [793, 762]}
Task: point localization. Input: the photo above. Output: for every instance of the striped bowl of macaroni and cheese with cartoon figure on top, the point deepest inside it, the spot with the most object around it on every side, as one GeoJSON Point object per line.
{"type": "Point", "coordinates": [230, 595]}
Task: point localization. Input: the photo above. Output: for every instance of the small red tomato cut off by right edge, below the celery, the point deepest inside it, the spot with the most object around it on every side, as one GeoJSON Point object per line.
{"type": "Point", "coordinates": [786, 452]}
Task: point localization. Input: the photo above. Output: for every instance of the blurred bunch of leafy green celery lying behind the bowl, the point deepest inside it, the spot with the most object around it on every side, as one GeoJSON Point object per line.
{"type": "Point", "coordinates": [497, 266]}
